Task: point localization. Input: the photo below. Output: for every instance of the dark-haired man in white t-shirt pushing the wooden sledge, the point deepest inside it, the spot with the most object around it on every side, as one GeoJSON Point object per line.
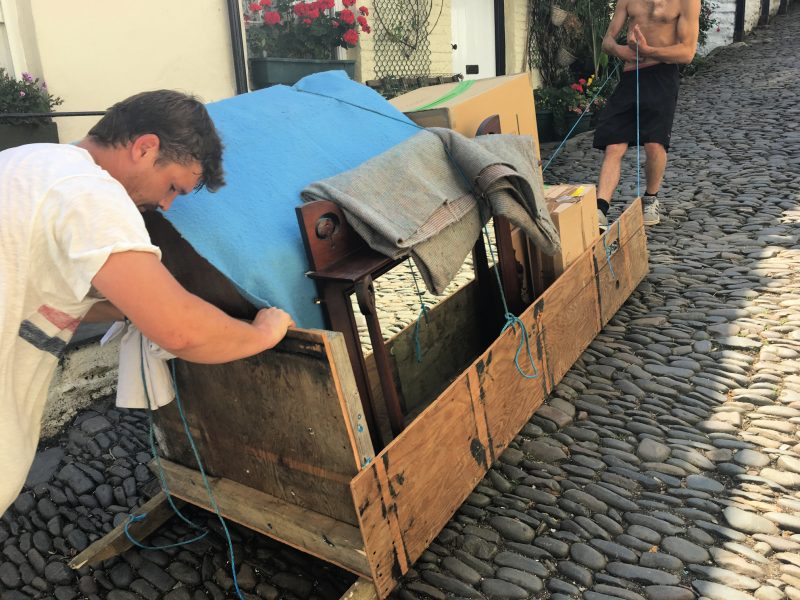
{"type": "Point", "coordinates": [73, 247]}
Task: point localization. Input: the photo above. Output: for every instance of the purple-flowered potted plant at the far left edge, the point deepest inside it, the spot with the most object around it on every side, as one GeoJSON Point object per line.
{"type": "Point", "coordinates": [24, 96]}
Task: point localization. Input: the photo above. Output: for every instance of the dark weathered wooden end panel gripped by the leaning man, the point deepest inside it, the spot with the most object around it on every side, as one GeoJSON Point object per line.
{"type": "Point", "coordinates": [285, 422]}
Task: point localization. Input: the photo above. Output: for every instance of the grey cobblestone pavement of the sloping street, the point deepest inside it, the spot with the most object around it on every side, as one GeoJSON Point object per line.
{"type": "Point", "coordinates": [665, 466]}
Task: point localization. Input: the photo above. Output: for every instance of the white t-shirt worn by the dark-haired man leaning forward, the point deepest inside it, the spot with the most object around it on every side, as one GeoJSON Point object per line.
{"type": "Point", "coordinates": [61, 216]}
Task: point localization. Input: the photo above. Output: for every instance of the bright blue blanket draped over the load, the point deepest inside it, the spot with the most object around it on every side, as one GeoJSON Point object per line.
{"type": "Point", "coordinates": [277, 141]}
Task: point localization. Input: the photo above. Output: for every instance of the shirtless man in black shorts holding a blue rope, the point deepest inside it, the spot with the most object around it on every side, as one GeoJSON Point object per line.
{"type": "Point", "coordinates": [666, 32]}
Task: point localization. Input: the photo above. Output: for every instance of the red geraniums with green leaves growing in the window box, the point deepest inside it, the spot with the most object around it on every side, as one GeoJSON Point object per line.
{"type": "Point", "coordinates": [303, 29]}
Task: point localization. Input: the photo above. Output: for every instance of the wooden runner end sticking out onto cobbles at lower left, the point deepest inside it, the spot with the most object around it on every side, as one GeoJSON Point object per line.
{"type": "Point", "coordinates": [115, 542]}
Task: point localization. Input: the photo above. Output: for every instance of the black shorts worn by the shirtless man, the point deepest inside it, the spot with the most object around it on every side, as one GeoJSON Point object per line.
{"type": "Point", "coordinates": [658, 95]}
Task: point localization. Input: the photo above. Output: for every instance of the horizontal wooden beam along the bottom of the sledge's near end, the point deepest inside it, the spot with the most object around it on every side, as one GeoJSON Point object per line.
{"type": "Point", "coordinates": [331, 540]}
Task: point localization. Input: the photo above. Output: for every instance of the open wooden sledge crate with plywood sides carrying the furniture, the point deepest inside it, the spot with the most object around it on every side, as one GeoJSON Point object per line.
{"type": "Point", "coordinates": [288, 456]}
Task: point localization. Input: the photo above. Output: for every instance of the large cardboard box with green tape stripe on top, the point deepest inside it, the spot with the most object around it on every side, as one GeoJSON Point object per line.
{"type": "Point", "coordinates": [464, 105]}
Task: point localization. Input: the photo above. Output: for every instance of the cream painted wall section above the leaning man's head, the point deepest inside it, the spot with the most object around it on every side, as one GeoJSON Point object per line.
{"type": "Point", "coordinates": [94, 53]}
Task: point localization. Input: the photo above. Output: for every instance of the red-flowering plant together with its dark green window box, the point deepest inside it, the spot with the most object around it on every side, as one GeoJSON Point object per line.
{"type": "Point", "coordinates": [289, 39]}
